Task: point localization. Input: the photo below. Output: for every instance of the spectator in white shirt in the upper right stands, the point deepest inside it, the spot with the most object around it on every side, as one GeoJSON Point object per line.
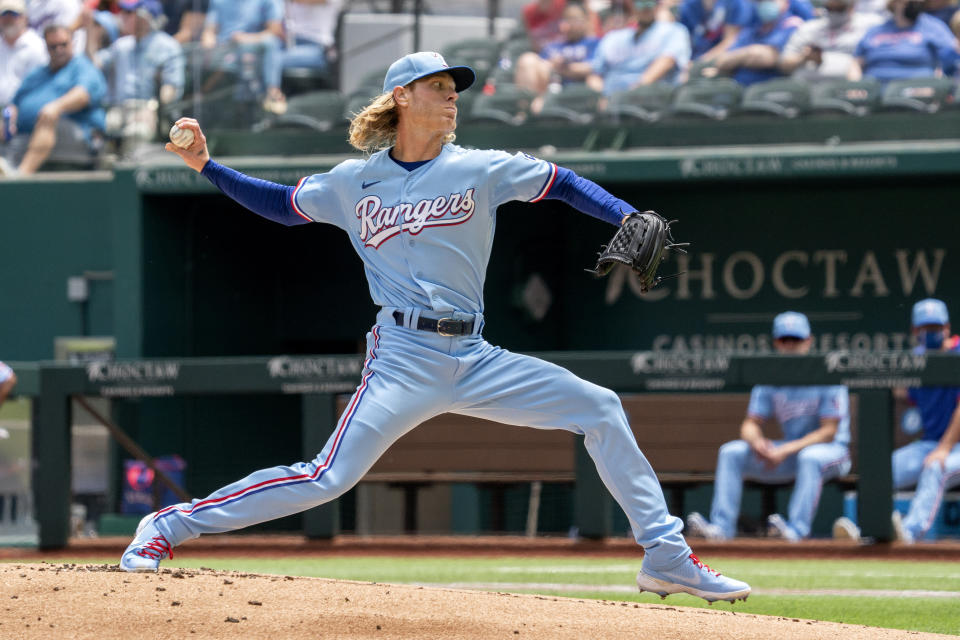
{"type": "Point", "coordinates": [823, 48]}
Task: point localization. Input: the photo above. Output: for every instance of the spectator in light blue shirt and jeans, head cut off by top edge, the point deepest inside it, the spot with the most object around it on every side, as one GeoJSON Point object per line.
{"type": "Point", "coordinates": [243, 30]}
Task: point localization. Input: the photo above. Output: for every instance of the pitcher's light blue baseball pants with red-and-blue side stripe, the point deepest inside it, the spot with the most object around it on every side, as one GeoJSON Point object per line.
{"type": "Point", "coordinates": [410, 376]}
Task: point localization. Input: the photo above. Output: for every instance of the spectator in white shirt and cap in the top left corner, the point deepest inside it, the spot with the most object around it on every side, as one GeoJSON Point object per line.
{"type": "Point", "coordinates": [21, 48]}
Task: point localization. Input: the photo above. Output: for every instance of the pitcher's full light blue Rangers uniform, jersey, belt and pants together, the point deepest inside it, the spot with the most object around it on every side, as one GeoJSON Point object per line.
{"type": "Point", "coordinates": [424, 233]}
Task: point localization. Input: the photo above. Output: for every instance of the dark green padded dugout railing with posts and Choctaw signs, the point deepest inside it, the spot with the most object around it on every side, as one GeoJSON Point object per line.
{"type": "Point", "coordinates": [318, 380]}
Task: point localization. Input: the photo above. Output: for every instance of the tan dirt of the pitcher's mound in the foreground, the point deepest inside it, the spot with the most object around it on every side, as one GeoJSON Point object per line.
{"type": "Point", "coordinates": [99, 601]}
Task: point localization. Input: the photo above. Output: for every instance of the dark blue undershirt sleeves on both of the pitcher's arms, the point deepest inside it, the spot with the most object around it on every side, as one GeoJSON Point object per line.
{"type": "Point", "coordinates": [273, 201]}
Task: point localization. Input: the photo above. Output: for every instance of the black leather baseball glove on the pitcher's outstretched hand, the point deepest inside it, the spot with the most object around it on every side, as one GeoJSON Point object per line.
{"type": "Point", "coordinates": [639, 243]}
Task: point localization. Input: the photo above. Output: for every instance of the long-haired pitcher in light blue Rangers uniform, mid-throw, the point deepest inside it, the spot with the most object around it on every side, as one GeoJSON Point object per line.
{"type": "Point", "coordinates": [420, 212]}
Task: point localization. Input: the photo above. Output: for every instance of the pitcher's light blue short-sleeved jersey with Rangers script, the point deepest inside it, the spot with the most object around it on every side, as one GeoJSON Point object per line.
{"type": "Point", "coordinates": [424, 235]}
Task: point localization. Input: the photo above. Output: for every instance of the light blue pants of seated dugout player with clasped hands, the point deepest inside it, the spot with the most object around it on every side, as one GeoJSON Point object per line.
{"type": "Point", "coordinates": [809, 469]}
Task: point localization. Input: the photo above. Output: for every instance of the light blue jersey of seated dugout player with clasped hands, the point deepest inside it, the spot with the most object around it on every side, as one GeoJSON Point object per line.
{"type": "Point", "coordinates": [799, 410]}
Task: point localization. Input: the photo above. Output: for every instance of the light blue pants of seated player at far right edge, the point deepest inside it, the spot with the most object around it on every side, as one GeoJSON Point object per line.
{"type": "Point", "coordinates": [931, 481]}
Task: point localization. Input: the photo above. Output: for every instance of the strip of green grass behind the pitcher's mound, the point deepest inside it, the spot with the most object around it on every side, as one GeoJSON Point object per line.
{"type": "Point", "coordinates": [611, 579]}
